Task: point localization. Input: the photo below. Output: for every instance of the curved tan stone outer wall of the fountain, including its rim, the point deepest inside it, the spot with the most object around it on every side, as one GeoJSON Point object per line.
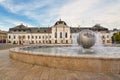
{"type": "Point", "coordinates": [85, 63]}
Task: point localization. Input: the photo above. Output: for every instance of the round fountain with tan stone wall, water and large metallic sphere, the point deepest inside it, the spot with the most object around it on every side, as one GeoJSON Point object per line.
{"type": "Point", "coordinates": [95, 59]}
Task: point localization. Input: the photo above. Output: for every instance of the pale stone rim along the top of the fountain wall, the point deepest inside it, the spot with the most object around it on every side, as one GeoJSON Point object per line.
{"type": "Point", "coordinates": [59, 55]}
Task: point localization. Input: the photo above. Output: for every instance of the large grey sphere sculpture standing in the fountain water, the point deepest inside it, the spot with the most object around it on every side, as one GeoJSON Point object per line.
{"type": "Point", "coordinates": [86, 38]}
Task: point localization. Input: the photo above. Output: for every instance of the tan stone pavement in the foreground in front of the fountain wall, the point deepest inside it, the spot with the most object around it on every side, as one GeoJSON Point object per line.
{"type": "Point", "coordinates": [15, 70]}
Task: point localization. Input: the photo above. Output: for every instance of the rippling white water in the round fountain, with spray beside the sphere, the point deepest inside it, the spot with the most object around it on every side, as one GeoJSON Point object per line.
{"type": "Point", "coordinates": [97, 50]}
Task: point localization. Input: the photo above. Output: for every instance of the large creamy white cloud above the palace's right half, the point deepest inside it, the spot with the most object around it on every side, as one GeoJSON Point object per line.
{"type": "Point", "coordinates": [88, 13]}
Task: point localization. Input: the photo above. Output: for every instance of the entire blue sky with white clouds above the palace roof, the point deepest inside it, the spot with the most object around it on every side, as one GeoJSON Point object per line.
{"type": "Point", "coordinates": [44, 13]}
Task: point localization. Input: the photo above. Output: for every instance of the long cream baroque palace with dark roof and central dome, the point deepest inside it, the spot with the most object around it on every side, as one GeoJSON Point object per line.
{"type": "Point", "coordinates": [59, 33]}
